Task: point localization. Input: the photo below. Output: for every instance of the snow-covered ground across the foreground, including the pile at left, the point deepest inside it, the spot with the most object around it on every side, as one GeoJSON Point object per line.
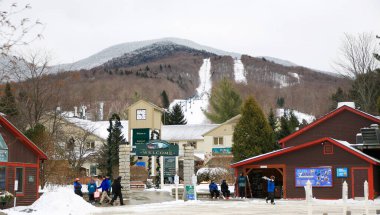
{"type": "Point", "coordinates": [62, 200]}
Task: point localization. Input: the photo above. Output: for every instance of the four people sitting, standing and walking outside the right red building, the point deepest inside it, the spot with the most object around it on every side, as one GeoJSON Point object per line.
{"type": "Point", "coordinates": [241, 184]}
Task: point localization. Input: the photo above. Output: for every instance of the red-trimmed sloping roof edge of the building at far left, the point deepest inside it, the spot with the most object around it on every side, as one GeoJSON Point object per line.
{"type": "Point", "coordinates": [7, 125]}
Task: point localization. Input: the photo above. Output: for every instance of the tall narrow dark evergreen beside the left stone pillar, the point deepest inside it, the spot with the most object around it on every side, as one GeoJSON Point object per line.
{"type": "Point", "coordinates": [109, 154]}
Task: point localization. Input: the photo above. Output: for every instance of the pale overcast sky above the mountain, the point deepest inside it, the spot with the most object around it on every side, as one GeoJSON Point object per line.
{"type": "Point", "coordinates": [307, 33]}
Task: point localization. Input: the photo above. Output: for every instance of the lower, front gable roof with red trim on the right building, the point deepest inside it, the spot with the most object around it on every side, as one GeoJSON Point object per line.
{"type": "Point", "coordinates": [341, 144]}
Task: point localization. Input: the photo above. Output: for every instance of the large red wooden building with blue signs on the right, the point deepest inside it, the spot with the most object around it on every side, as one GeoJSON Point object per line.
{"type": "Point", "coordinates": [322, 152]}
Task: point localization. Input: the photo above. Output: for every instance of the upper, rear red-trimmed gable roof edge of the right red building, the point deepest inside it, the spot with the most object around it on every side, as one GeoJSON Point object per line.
{"type": "Point", "coordinates": [328, 116]}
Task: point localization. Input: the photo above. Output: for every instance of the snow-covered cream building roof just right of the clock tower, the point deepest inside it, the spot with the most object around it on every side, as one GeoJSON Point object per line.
{"type": "Point", "coordinates": [185, 132]}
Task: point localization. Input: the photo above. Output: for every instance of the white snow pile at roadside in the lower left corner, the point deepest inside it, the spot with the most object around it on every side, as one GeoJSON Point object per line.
{"type": "Point", "coordinates": [61, 200]}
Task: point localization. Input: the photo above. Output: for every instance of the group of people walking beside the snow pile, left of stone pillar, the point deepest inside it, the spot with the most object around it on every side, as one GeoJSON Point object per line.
{"type": "Point", "coordinates": [106, 186]}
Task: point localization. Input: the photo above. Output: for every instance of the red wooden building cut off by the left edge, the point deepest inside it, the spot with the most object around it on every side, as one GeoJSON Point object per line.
{"type": "Point", "coordinates": [19, 161]}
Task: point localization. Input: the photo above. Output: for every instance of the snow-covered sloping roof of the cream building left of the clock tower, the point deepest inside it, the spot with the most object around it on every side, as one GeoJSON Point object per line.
{"type": "Point", "coordinates": [98, 128]}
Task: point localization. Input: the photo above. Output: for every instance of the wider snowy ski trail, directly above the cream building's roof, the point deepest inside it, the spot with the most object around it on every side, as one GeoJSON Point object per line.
{"type": "Point", "coordinates": [193, 107]}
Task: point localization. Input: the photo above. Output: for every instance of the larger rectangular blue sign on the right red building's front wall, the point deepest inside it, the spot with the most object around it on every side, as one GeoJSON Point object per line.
{"type": "Point", "coordinates": [318, 176]}
